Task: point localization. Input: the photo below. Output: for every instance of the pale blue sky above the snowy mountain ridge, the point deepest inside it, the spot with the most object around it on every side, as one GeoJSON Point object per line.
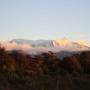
{"type": "Point", "coordinates": [45, 19]}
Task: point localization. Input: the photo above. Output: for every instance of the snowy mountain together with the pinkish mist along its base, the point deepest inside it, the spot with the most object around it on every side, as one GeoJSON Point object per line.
{"type": "Point", "coordinates": [38, 46]}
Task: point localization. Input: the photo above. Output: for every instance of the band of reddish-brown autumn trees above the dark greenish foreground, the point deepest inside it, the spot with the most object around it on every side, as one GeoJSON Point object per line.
{"type": "Point", "coordinates": [44, 63]}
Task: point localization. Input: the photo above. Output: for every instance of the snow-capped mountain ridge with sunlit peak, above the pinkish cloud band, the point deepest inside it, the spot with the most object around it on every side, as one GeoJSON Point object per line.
{"type": "Point", "coordinates": [50, 43]}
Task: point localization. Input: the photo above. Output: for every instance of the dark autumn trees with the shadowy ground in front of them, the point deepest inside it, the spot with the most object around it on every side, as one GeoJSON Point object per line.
{"type": "Point", "coordinates": [43, 72]}
